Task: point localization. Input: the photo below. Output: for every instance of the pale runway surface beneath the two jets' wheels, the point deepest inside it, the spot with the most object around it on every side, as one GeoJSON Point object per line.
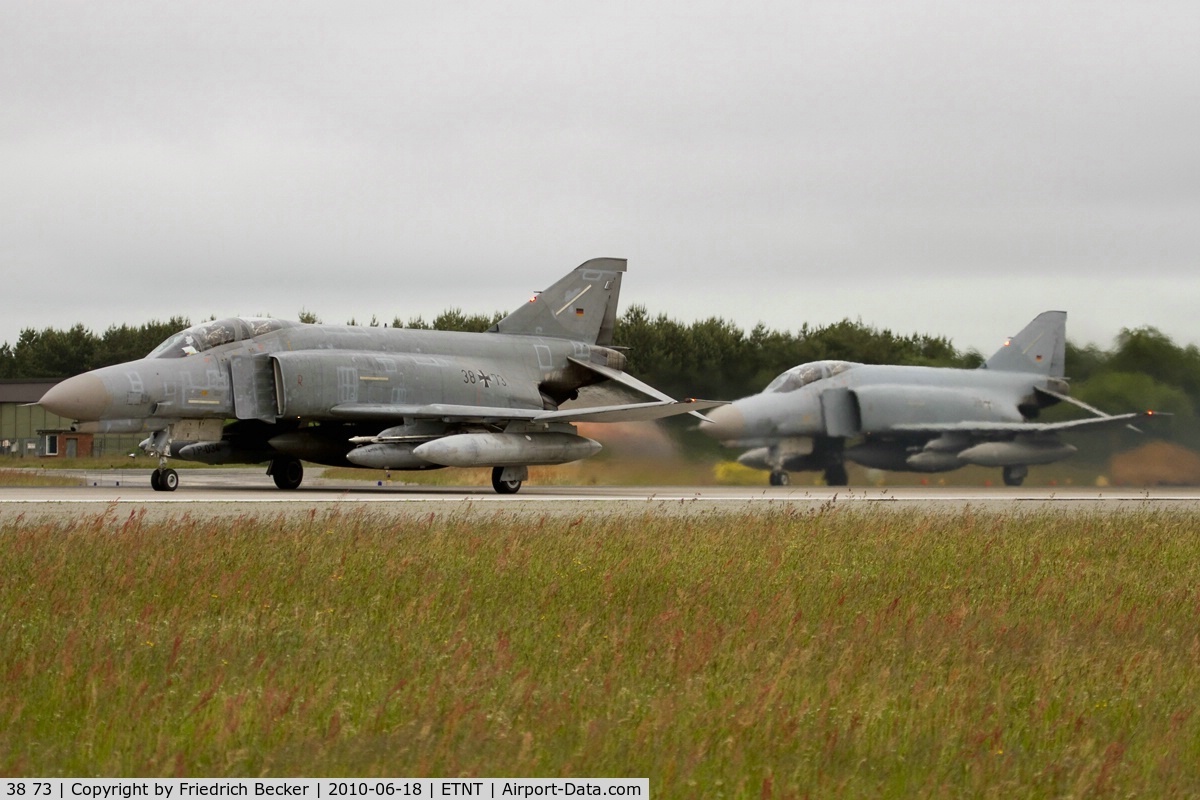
{"type": "Point", "coordinates": [237, 492]}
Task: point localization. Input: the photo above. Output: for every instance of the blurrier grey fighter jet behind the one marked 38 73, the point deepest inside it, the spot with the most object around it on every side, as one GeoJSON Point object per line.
{"type": "Point", "coordinates": [819, 416]}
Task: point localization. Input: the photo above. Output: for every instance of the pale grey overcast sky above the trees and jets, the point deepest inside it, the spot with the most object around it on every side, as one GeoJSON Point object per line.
{"type": "Point", "coordinates": [949, 169]}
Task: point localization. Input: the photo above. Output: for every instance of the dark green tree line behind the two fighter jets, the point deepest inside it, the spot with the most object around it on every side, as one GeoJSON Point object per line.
{"type": "Point", "coordinates": [717, 359]}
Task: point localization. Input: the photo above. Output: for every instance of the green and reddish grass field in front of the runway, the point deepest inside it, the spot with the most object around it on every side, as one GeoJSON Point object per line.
{"type": "Point", "coordinates": [829, 654]}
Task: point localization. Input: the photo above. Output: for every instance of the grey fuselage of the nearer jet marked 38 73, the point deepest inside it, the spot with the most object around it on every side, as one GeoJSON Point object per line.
{"type": "Point", "coordinates": [304, 374]}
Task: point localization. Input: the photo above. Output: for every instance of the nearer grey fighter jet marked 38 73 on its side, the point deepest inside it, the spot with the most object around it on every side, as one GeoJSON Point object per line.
{"type": "Point", "coordinates": [268, 390]}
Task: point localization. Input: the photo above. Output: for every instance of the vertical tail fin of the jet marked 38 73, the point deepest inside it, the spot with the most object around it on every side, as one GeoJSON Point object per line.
{"type": "Point", "coordinates": [581, 306]}
